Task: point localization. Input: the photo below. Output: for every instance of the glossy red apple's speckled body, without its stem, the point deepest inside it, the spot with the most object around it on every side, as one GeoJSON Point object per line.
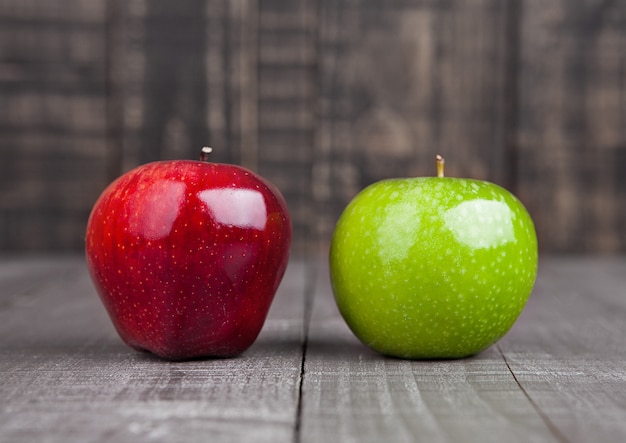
{"type": "Point", "coordinates": [187, 256]}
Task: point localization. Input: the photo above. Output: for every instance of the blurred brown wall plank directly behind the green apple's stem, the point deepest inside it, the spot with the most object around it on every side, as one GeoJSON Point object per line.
{"type": "Point", "coordinates": [401, 82]}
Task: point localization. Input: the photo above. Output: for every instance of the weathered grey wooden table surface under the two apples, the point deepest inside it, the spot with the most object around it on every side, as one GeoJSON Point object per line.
{"type": "Point", "coordinates": [558, 376]}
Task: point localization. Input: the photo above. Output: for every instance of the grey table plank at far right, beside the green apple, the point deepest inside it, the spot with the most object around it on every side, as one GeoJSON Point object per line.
{"type": "Point", "coordinates": [567, 349]}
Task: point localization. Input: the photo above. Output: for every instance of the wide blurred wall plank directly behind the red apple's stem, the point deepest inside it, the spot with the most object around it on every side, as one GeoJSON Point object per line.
{"type": "Point", "coordinates": [232, 77]}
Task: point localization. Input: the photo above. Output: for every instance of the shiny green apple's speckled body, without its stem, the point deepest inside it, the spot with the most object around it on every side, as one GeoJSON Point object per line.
{"type": "Point", "coordinates": [432, 267]}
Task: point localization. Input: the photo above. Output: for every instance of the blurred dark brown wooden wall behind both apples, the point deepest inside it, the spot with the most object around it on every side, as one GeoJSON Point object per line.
{"type": "Point", "coordinates": [322, 97]}
